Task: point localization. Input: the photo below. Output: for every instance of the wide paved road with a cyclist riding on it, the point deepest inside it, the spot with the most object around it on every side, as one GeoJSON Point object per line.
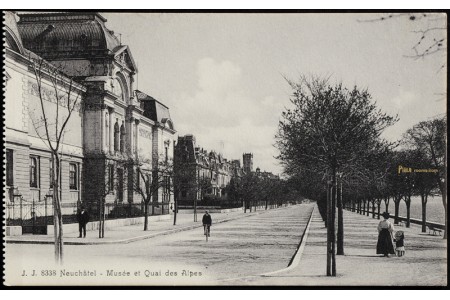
{"type": "Point", "coordinates": [248, 246]}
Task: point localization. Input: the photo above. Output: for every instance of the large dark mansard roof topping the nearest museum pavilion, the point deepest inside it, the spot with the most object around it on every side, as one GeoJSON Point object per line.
{"type": "Point", "coordinates": [79, 33]}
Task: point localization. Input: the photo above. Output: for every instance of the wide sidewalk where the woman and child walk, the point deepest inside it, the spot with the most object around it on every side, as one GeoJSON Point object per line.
{"type": "Point", "coordinates": [425, 262]}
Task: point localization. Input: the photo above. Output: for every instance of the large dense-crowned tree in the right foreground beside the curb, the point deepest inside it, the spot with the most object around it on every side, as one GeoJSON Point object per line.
{"type": "Point", "coordinates": [329, 128]}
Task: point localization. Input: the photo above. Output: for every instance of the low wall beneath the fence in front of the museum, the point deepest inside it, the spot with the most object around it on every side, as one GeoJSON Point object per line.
{"type": "Point", "coordinates": [71, 228]}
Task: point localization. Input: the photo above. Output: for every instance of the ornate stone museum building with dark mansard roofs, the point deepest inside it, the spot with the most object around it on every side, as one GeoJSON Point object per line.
{"type": "Point", "coordinates": [113, 125]}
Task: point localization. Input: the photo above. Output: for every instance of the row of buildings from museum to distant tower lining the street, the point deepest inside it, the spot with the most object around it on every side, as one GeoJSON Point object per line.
{"type": "Point", "coordinates": [114, 131]}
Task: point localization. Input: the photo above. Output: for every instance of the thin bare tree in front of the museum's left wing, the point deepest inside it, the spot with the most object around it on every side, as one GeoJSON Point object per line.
{"type": "Point", "coordinates": [50, 124]}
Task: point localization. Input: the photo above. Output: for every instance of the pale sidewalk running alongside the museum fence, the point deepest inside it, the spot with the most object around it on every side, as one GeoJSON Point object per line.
{"type": "Point", "coordinates": [132, 233]}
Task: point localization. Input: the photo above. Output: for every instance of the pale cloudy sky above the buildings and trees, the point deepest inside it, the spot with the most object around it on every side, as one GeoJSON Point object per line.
{"type": "Point", "coordinates": [222, 74]}
